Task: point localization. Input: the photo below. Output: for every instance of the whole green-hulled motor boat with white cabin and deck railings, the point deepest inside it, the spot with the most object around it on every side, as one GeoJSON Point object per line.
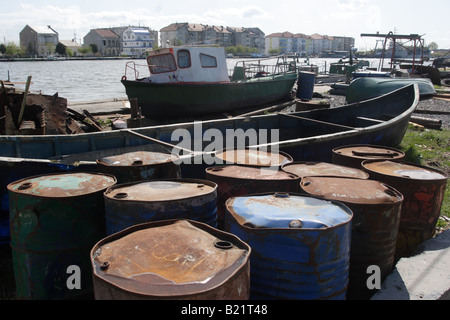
{"type": "Point", "coordinates": [194, 81]}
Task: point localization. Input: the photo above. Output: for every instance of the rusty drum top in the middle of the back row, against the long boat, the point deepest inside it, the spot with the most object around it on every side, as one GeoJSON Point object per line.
{"type": "Point", "coordinates": [252, 157]}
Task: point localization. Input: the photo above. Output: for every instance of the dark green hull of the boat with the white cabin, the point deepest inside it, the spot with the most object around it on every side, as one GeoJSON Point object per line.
{"type": "Point", "coordinates": [178, 100]}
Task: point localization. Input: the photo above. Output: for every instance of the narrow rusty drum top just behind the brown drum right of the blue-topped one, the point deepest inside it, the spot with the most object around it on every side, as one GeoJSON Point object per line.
{"type": "Point", "coordinates": [304, 169]}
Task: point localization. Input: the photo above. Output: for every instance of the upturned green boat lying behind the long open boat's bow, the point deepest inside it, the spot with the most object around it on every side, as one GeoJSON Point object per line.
{"type": "Point", "coordinates": [369, 87]}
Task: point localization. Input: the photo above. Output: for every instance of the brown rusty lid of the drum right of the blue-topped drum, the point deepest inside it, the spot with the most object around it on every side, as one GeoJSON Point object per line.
{"type": "Point", "coordinates": [350, 190]}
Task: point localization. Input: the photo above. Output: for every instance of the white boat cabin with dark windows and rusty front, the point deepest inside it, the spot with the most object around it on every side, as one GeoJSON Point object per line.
{"type": "Point", "coordinates": [188, 65]}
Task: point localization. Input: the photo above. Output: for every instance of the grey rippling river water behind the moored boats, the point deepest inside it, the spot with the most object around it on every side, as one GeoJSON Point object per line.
{"type": "Point", "coordinates": [88, 80]}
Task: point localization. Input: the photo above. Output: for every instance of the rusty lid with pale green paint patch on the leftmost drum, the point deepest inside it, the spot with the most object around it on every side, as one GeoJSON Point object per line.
{"type": "Point", "coordinates": [62, 185]}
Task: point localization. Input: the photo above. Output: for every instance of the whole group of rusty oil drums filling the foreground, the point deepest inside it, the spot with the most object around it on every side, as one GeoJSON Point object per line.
{"type": "Point", "coordinates": [139, 231]}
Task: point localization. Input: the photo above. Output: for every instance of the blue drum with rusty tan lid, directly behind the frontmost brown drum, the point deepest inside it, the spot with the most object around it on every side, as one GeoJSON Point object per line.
{"type": "Point", "coordinates": [128, 204]}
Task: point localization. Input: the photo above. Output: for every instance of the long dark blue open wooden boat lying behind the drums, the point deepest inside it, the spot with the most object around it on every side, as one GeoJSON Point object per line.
{"type": "Point", "coordinates": [305, 136]}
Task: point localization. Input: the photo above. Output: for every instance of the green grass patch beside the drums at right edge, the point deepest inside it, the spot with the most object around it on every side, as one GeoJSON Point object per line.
{"type": "Point", "coordinates": [430, 148]}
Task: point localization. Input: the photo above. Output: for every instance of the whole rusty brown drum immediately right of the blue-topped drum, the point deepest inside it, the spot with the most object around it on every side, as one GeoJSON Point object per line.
{"type": "Point", "coordinates": [376, 211]}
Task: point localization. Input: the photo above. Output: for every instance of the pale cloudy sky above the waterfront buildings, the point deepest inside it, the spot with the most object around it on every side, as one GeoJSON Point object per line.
{"type": "Point", "coordinates": [348, 18]}
